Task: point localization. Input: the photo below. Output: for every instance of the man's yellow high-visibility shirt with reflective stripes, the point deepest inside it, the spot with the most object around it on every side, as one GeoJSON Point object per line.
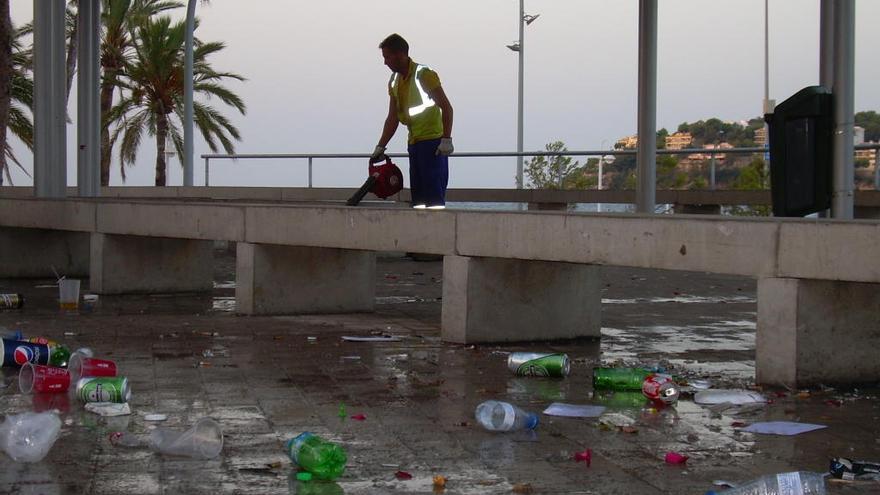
{"type": "Point", "coordinates": [415, 108]}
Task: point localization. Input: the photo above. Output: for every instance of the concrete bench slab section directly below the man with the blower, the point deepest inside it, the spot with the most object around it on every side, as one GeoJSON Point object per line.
{"type": "Point", "coordinates": [374, 229]}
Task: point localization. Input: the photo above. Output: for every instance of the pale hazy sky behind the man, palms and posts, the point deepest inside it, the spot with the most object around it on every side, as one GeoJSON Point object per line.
{"type": "Point", "coordinates": [316, 82]}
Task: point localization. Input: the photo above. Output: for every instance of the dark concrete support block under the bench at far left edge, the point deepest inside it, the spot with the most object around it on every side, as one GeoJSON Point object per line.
{"type": "Point", "coordinates": [34, 252]}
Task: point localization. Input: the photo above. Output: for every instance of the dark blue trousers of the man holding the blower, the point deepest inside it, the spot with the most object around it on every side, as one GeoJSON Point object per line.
{"type": "Point", "coordinates": [428, 173]}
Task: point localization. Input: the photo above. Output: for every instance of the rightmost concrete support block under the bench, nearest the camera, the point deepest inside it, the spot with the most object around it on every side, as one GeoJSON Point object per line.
{"type": "Point", "coordinates": [817, 331]}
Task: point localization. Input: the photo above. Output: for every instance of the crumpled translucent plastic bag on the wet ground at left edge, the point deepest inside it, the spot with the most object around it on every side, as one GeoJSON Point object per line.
{"type": "Point", "coordinates": [28, 437]}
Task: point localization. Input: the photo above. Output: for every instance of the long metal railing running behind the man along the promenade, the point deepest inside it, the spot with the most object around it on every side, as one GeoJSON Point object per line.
{"type": "Point", "coordinates": [712, 152]}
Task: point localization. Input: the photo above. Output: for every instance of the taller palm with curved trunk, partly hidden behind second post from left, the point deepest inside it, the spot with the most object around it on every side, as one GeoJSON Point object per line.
{"type": "Point", "coordinates": [119, 18]}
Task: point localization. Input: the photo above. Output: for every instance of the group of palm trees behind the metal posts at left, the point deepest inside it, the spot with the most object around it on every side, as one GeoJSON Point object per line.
{"type": "Point", "coordinates": [141, 89]}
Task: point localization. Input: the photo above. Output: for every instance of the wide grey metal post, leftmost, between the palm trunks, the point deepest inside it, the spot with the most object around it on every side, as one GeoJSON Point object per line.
{"type": "Point", "coordinates": [50, 89]}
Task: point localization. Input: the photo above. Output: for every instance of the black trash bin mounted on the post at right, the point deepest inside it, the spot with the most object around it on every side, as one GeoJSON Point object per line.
{"type": "Point", "coordinates": [800, 137]}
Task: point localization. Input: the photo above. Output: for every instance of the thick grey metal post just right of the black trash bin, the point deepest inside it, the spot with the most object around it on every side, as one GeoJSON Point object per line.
{"type": "Point", "coordinates": [844, 72]}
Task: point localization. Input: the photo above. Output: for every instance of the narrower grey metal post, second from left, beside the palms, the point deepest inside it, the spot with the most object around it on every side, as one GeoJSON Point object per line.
{"type": "Point", "coordinates": [88, 159]}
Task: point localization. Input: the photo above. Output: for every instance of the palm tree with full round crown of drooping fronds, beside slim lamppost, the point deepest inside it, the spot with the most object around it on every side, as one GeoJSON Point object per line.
{"type": "Point", "coordinates": [153, 81]}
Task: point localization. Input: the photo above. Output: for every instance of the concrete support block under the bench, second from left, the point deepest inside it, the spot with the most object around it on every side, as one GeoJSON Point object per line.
{"type": "Point", "coordinates": [124, 264]}
